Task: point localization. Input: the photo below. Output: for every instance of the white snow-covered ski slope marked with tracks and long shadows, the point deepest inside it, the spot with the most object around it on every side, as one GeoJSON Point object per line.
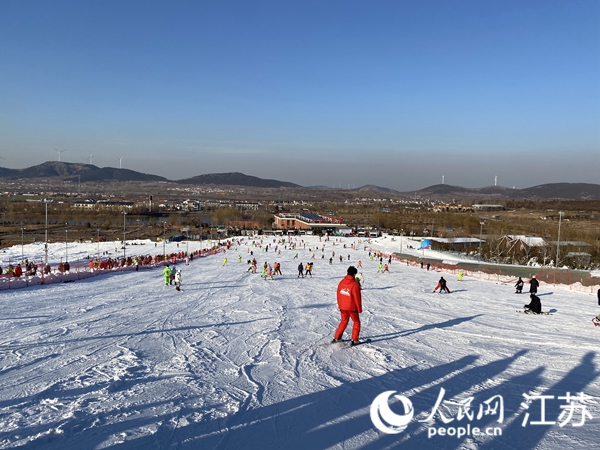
{"type": "Point", "coordinates": [237, 362]}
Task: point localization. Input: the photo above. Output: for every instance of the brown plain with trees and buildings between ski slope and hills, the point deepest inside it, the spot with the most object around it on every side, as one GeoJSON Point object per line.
{"type": "Point", "coordinates": [497, 229]}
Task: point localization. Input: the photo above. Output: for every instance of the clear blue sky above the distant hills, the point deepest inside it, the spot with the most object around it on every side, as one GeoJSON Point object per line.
{"type": "Point", "coordinates": [337, 93]}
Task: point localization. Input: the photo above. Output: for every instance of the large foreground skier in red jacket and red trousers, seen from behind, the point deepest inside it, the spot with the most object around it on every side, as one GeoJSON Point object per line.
{"type": "Point", "coordinates": [350, 304]}
